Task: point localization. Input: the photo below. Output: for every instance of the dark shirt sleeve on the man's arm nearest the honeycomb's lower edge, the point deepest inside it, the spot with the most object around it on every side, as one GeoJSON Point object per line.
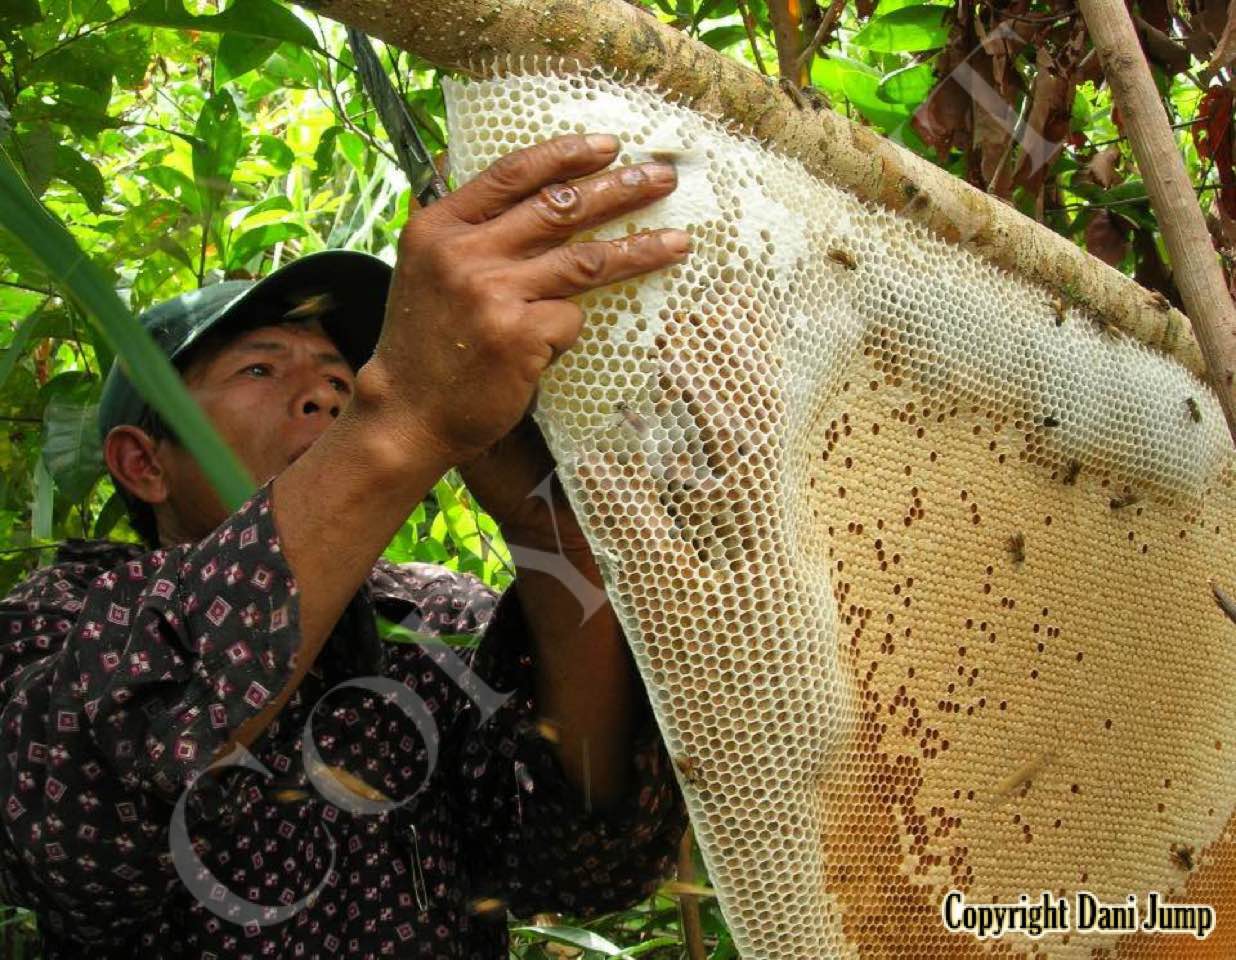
{"type": "Point", "coordinates": [533, 842]}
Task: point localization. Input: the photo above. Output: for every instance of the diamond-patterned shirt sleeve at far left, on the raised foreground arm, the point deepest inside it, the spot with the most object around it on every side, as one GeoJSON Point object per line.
{"type": "Point", "coordinates": [143, 674]}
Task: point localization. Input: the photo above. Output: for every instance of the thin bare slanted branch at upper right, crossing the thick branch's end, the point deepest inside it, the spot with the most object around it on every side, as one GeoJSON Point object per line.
{"type": "Point", "coordinates": [1195, 264]}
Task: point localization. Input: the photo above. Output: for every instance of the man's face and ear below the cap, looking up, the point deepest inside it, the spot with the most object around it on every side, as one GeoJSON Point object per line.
{"type": "Point", "coordinates": [270, 392]}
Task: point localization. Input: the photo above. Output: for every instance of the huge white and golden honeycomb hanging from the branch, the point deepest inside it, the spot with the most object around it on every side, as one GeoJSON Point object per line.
{"type": "Point", "coordinates": [915, 562]}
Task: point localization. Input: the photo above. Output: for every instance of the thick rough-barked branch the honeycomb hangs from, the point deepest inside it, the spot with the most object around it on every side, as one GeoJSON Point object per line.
{"type": "Point", "coordinates": [472, 36]}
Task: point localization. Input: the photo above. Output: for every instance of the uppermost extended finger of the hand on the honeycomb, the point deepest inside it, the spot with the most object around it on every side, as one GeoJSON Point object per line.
{"type": "Point", "coordinates": [525, 172]}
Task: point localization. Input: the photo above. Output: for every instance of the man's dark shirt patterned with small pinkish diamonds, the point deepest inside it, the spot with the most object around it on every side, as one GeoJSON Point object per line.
{"type": "Point", "coordinates": [122, 674]}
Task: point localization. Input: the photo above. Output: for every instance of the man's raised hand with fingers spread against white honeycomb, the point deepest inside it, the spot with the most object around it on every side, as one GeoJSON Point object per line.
{"type": "Point", "coordinates": [479, 303]}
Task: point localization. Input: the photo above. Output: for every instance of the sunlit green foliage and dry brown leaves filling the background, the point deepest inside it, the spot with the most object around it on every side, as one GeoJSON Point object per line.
{"type": "Point", "coordinates": [184, 145]}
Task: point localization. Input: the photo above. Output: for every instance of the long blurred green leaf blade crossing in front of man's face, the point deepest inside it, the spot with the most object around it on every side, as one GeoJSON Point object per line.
{"type": "Point", "coordinates": [150, 370]}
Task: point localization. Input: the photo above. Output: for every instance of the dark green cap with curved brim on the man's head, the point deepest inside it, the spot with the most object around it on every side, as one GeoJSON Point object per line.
{"type": "Point", "coordinates": [355, 287]}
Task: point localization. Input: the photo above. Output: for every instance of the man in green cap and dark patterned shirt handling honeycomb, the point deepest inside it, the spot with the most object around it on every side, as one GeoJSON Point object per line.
{"type": "Point", "coordinates": [392, 804]}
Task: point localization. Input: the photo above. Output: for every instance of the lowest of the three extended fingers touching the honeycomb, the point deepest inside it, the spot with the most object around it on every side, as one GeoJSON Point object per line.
{"type": "Point", "coordinates": [577, 269]}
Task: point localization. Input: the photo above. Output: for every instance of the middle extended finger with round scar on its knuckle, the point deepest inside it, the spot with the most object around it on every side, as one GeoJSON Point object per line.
{"type": "Point", "coordinates": [559, 211]}
